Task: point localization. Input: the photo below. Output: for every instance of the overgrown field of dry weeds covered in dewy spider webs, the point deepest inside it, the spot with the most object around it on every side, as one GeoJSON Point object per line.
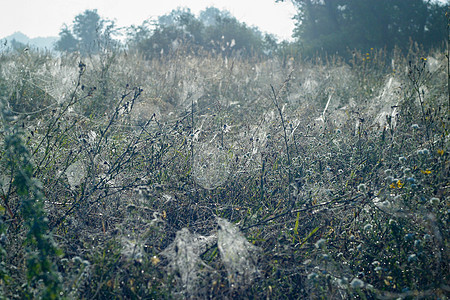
{"type": "Point", "coordinates": [199, 176]}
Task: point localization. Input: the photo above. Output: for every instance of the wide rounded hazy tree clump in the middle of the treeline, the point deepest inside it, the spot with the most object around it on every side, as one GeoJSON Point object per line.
{"type": "Point", "coordinates": [214, 30]}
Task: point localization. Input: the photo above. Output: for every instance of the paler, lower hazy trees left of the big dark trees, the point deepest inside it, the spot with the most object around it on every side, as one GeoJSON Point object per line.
{"type": "Point", "coordinates": [213, 31]}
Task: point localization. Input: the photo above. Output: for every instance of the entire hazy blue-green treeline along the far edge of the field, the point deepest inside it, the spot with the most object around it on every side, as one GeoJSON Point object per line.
{"type": "Point", "coordinates": [323, 27]}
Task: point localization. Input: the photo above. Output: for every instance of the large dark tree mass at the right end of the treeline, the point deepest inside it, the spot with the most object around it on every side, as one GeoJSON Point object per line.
{"type": "Point", "coordinates": [335, 26]}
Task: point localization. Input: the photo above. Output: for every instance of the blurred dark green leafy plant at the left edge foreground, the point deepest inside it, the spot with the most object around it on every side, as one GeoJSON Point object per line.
{"type": "Point", "coordinates": [42, 277]}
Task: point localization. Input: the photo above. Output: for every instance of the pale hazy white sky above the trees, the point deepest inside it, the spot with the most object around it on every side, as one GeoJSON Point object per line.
{"type": "Point", "coordinates": [45, 17]}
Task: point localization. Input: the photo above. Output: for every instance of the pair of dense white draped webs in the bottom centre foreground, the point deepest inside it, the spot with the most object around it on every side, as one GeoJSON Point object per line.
{"type": "Point", "coordinates": [237, 255]}
